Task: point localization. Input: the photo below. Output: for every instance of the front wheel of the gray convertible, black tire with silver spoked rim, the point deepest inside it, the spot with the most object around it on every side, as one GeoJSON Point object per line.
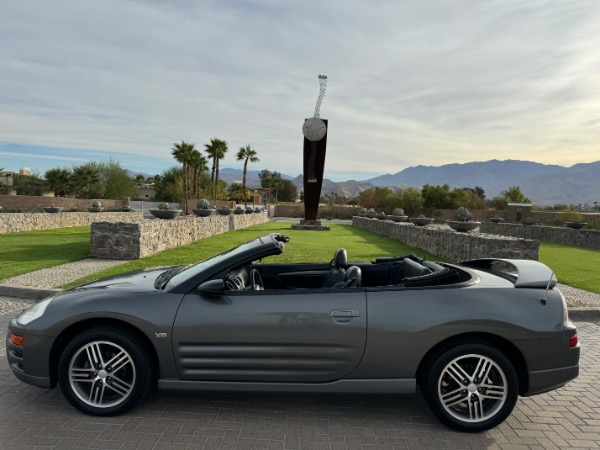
{"type": "Point", "coordinates": [122, 377]}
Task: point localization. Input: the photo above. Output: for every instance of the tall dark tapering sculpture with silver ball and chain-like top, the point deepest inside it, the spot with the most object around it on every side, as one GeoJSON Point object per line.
{"type": "Point", "coordinates": [314, 130]}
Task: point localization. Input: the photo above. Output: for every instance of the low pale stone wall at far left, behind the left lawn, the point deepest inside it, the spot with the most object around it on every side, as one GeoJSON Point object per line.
{"type": "Point", "coordinates": [13, 222]}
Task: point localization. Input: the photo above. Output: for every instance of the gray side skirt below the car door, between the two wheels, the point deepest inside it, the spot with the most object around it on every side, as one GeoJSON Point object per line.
{"type": "Point", "coordinates": [404, 386]}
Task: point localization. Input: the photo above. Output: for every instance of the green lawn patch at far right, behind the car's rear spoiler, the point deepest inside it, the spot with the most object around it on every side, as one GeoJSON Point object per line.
{"type": "Point", "coordinates": [576, 266]}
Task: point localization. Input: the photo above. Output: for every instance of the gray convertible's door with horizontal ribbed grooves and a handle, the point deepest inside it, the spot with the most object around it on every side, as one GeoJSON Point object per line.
{"type": "Point", "coordinates": [311, 335]}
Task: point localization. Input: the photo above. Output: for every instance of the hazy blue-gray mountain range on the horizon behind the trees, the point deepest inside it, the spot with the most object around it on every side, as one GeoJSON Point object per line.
{"type": "Point", "coordinates": [544, 184]}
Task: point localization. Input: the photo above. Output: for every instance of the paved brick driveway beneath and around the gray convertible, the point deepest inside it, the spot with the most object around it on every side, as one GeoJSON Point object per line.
{"type": "Point", "coordinates": [33, 418]}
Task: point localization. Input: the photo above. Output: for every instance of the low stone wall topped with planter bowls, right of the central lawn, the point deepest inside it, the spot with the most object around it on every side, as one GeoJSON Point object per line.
{"type": "Point", "coordinates": [443, 241]}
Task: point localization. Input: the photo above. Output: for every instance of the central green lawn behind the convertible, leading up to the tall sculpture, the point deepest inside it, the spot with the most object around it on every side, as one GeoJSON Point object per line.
{"type": "Point", "coordinates": [304, 246]}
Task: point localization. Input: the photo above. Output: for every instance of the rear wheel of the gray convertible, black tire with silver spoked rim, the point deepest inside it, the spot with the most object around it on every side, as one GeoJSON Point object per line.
{"type": "Point", "coordinates": [485, 395]}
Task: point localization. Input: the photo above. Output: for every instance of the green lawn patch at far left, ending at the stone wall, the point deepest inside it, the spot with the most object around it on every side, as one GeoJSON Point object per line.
{"type": "Point", "coordinates": [33, 250]}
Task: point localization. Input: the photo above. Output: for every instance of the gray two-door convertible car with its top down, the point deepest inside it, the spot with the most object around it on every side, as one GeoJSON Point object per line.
{"type": "Point", "coordinates": [472, 335]}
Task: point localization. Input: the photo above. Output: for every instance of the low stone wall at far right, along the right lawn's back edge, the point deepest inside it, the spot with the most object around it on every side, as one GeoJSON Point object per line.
{"type": "Point", "coordinates": [561, 235]}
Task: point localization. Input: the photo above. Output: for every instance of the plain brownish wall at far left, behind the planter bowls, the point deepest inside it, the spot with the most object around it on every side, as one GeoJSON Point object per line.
{"type": "Point", "coordinates": [35, 203]}
